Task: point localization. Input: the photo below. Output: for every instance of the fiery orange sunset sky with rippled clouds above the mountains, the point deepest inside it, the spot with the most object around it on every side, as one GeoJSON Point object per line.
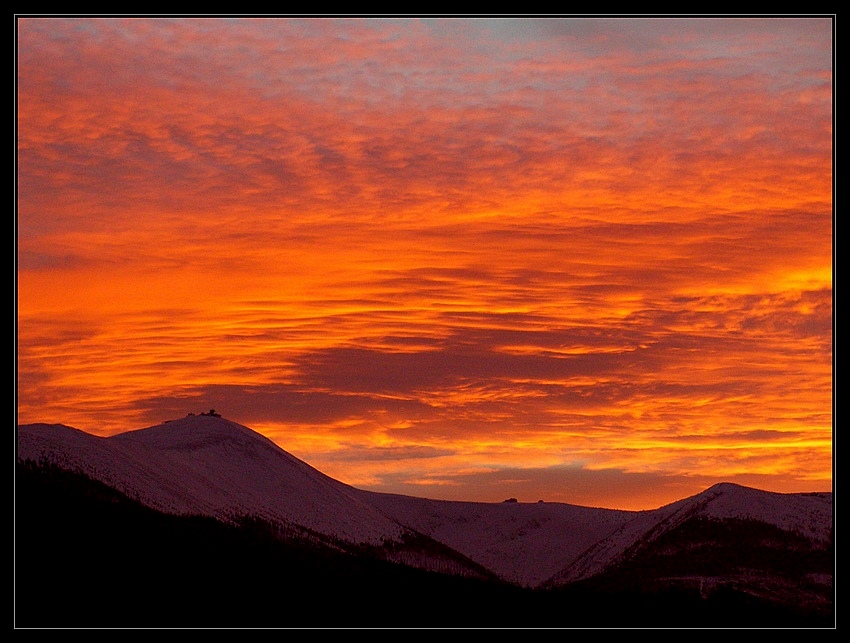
{"type": "Point", "coordinates": [586, 260]}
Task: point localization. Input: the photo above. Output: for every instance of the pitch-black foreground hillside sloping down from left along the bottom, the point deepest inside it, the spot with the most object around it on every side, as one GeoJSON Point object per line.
{"type": "Point", "coordinates": [88, 557]}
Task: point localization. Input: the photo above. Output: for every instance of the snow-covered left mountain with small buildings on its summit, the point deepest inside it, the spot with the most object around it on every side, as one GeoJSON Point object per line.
{"type": "Point", "coordinates": [208, 465]}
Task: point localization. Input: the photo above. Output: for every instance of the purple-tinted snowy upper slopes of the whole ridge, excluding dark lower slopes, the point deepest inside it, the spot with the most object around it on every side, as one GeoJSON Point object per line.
{"type": "Point", "coordinates": [205, 464]}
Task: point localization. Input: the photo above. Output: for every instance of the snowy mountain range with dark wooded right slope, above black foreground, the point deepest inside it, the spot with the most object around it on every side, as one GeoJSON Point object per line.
{"type": "Point", "coordinates": [770, 547]}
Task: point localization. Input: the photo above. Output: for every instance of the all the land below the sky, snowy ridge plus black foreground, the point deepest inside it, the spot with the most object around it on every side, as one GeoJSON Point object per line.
{"type": "Point", "coordinates": [729, 556]}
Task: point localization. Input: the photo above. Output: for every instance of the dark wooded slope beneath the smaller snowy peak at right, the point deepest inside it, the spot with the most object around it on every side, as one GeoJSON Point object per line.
{"type": "Point", "coordinates": [746, 570]}
